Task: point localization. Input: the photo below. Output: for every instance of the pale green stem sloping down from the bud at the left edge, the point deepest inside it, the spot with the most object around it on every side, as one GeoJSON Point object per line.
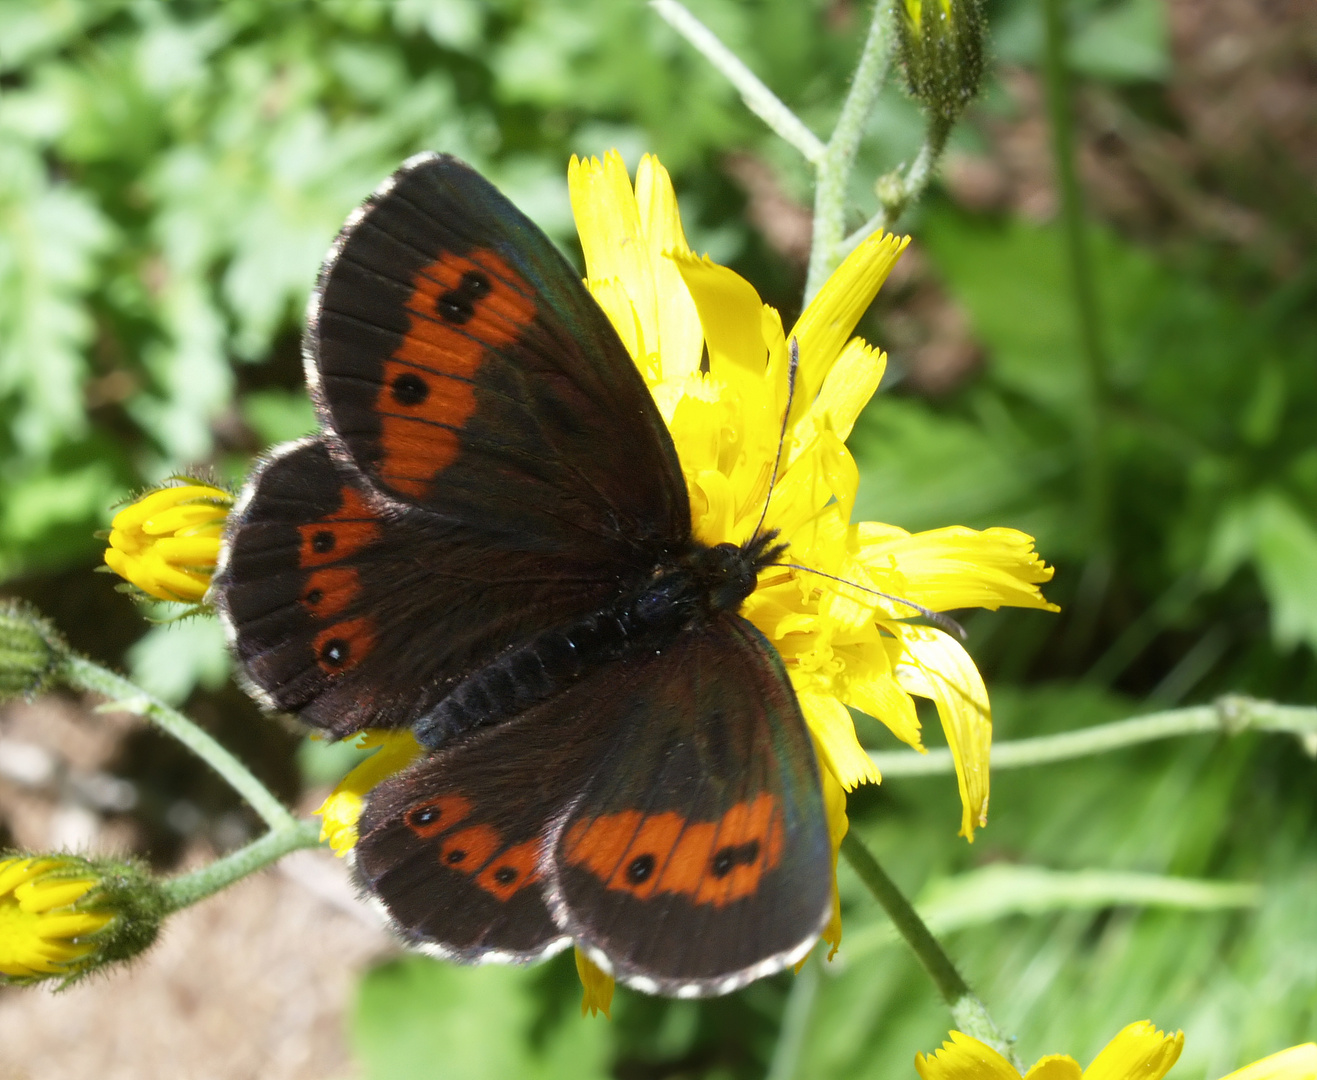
{"type": "Point", "coordinates": [84, 675]}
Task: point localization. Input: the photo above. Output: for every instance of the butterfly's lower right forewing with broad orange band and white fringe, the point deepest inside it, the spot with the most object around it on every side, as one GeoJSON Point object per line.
{"type": "Point", "coordinates": [697, 858]}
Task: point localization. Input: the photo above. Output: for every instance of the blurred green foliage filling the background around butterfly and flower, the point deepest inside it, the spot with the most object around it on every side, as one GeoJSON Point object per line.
{"type": "Point", "coordinates": [171, 176]}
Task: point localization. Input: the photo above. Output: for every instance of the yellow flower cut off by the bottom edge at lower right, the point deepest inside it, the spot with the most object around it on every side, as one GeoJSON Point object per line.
{"type": "Point", "coordinates": [1139, 1053]}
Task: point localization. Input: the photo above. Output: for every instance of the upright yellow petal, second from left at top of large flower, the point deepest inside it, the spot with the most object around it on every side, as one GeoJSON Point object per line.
{"type": "Point", "coordinates": [680, 337]}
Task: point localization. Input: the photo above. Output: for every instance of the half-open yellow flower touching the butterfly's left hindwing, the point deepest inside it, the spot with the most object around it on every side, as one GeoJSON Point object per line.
{"type": "Point", "coordinates": [167, 542]}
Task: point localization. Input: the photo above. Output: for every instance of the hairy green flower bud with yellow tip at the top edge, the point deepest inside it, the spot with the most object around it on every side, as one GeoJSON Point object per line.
{"type": "Point", "coordinates": [941, 44]}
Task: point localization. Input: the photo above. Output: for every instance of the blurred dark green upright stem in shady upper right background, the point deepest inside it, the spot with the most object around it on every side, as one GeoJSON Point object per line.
{"type": "Point", "coordinates": [1062, 117]}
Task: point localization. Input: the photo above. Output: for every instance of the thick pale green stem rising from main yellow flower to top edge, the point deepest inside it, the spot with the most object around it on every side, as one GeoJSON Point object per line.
{"type": "Point", "coordinates": [834, 169]}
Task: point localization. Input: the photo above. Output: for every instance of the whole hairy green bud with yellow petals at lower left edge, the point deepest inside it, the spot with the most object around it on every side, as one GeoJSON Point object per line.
{"type": "Point", "coordinates": [64, 917]}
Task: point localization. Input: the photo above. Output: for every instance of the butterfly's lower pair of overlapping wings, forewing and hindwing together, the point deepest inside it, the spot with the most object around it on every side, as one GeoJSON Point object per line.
{"type": "Point", "coordinates": [693, 763]}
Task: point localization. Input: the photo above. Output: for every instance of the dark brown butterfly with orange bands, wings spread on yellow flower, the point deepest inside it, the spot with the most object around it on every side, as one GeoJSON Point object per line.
{"type": "Point", "coordinates": [489, 542]}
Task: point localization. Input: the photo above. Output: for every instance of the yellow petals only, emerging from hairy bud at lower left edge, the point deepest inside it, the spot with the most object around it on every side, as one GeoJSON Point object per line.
{"type": "Point", "coordinates": [44, 931]}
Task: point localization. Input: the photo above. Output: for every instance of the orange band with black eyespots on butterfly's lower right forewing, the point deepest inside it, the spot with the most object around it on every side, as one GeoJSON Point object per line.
{"type": "Point", "coordinates": [707, 862]}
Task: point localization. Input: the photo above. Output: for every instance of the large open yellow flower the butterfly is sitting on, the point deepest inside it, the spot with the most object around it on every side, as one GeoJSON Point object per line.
{"type": "Point", "coordinates": [844, 647]}
